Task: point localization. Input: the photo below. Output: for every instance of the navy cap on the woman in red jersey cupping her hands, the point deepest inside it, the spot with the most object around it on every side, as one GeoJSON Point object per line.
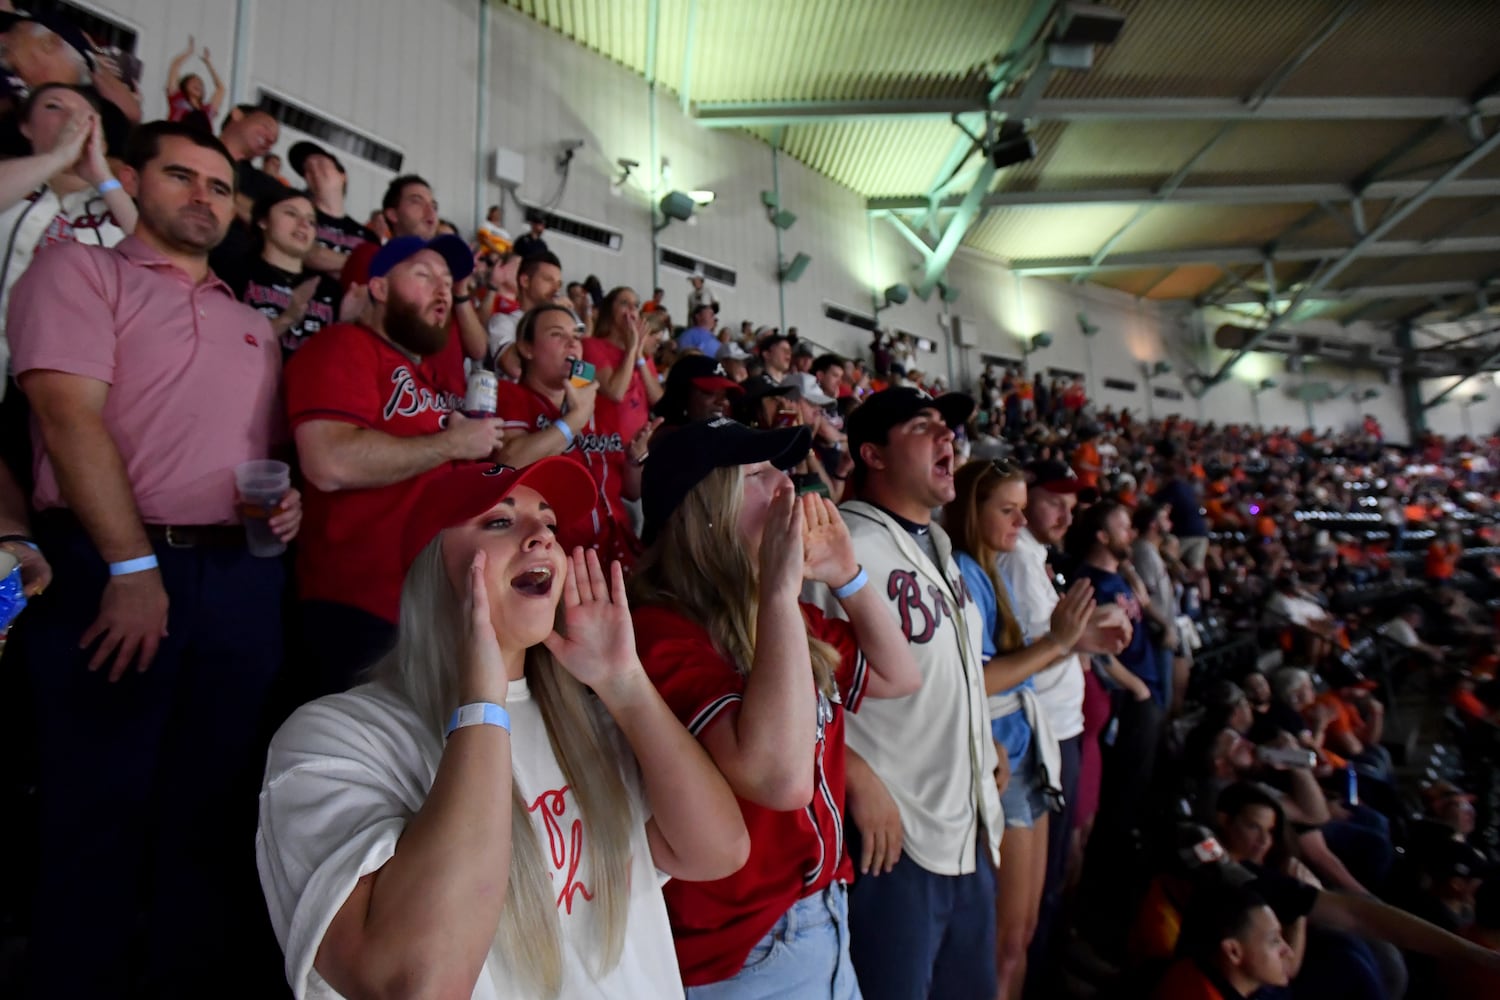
{"type": "Point", "coordinates": [685, 458]}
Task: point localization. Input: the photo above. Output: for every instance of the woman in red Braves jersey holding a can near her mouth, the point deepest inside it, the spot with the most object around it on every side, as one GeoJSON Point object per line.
{"type": "Point", "coordinates": [548, 415]}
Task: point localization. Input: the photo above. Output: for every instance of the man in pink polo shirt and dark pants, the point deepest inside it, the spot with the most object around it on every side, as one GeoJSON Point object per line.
{"type": "Point", "coordinates": [154, 651]}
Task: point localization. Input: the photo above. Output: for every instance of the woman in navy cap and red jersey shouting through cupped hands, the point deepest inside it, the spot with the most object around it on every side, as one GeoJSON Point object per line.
{"type": "Point", "coordinates": [763, 681]}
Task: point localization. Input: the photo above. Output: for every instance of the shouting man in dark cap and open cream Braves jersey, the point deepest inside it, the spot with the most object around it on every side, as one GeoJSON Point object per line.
{"type": "Point", "coordinates": [922, 782]}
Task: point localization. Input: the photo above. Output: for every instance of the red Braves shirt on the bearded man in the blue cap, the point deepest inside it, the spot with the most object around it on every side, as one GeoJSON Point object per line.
{"type": "Point", "coordinates": [349, 537]}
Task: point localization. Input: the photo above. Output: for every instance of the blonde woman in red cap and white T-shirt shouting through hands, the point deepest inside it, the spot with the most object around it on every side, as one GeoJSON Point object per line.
{"type": "Point", "coordinates": [490, 815]}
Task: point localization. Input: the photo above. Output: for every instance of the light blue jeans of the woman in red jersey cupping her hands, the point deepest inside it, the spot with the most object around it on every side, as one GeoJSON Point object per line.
{"type": "Point", "coordinates": [805, 957]}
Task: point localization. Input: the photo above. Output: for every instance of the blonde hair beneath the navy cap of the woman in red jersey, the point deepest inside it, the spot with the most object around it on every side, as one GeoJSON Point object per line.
{"type": "Point", "coordinates": [700, 569]}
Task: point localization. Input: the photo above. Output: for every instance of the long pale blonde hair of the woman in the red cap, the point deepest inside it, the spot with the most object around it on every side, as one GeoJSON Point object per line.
{"type": "Point", "coordinates": [424, 671]}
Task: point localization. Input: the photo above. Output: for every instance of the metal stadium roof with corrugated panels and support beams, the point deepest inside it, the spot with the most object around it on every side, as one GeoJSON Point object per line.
{"type": "Point", "coordinates": [1310, 157]}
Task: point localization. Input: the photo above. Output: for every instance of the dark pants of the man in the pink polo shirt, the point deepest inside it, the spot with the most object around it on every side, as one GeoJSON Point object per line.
{"type": "Point", "coordinates": [146, 881]}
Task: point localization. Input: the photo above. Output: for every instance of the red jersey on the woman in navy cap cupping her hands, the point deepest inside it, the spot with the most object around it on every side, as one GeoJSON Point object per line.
{"type": "Point", "coordinates": [794, 854]}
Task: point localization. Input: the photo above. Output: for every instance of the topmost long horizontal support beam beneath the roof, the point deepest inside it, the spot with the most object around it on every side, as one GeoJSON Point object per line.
{"type": "Point", "coordinates": [766, 113]}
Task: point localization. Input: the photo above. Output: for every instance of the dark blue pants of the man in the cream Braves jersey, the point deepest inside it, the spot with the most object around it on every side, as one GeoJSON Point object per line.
{"type": "Point", "coordinates": [917, 935]}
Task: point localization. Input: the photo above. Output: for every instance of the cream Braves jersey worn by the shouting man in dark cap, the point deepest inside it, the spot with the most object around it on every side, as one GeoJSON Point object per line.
{"type": "Point", "coordinates": [932, 749]}
